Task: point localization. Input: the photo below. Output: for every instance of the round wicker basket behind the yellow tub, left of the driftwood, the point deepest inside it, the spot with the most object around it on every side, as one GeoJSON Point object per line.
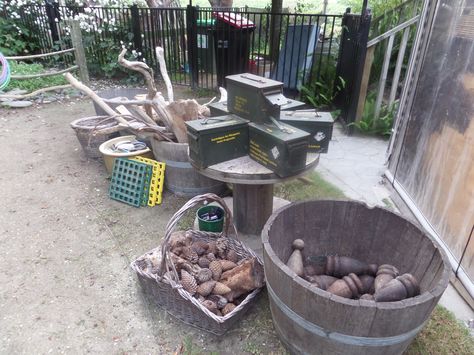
{"type": "Point", "coordinates": [93, 131]}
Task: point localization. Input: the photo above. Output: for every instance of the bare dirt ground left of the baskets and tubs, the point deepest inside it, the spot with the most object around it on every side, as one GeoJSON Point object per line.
{"type": "Point", "coordinates": [66, 249]}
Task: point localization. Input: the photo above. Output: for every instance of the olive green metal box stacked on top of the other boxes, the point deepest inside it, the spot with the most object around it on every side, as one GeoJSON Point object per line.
{"type": "Point", "coordinates": [254, 97]}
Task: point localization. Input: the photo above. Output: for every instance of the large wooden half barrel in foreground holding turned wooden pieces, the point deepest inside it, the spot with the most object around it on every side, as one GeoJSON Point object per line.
{"type": "Point", "coordinates": [311, 321]}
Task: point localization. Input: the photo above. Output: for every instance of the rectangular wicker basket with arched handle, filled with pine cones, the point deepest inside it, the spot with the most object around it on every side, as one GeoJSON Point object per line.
{"type": "Point", "coordinates": [167, 292]}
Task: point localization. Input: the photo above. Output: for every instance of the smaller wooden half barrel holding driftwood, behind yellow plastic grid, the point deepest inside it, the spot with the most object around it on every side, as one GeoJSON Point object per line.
{"type": "Point", "coordinates": [180, 176]}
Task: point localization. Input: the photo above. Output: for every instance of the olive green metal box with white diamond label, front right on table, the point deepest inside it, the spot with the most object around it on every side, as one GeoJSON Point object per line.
{"type": "Point", "coordinates": [281, 148]}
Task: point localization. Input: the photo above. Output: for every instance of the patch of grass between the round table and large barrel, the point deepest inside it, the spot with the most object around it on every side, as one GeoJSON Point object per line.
{"type": "Point", "coordinates": [312, 186]}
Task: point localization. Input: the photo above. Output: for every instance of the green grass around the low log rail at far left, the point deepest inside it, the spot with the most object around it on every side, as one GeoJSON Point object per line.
{"type": "Point", "coordinates": [20, 68]}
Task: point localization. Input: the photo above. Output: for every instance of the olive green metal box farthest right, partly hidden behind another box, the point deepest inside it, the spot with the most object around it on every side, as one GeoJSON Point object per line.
{"type": "Point", "coordinates": [318, 124]}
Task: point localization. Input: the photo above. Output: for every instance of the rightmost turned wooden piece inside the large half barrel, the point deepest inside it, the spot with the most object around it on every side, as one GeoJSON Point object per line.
{"type": "Point", "coordinates": [404, 286]}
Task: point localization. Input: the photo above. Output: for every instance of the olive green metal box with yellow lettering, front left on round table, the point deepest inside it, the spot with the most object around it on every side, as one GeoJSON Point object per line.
{"type": "Point", "coordinates": [216, 139]}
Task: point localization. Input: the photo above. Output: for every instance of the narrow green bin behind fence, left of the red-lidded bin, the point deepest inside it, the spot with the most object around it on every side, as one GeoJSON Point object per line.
{"type": "Point", "coordinates": [205, 45]}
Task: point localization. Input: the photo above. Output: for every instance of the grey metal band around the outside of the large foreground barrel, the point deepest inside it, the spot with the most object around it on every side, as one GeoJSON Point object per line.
{"type": "Point", "coordinates": [339, 337]}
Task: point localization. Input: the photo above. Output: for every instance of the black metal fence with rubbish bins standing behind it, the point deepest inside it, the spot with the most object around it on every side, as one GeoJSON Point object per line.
{"type": "Point", "coordinates": [201, 45]}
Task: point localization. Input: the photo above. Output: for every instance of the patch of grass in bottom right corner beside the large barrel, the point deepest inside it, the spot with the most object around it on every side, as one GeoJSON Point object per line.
{"type": "Point", "coordinates": [444, 334]}
